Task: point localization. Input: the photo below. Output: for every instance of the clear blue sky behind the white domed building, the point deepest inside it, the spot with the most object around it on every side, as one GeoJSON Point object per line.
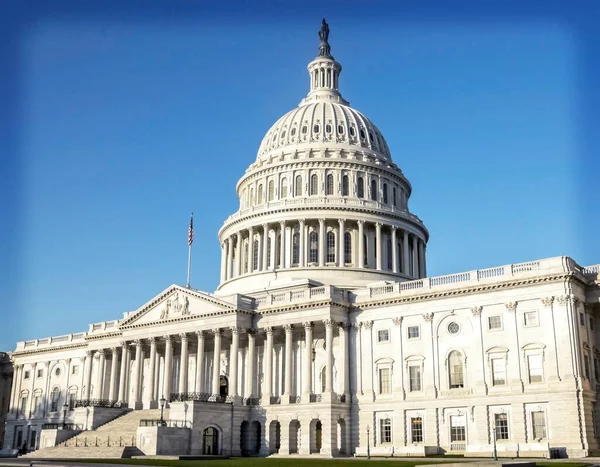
{"type": "Point", "coordinates": [119, 122]}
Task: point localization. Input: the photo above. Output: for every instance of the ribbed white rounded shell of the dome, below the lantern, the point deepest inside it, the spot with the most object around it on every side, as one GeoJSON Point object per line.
{"type": "Point", "coordinates": [319, 123]}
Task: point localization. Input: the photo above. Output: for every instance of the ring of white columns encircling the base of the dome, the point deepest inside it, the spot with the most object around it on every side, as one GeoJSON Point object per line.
{"type": "Point", "coordinates": [323, 242]}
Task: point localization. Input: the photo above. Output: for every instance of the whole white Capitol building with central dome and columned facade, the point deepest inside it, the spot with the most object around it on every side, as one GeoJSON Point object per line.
{"type": "Point", "coordinates": [326, 336]}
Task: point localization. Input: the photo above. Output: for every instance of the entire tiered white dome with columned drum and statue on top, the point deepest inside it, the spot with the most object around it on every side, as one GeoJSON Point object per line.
{"type": "Point", "coordinates": [323, 201]}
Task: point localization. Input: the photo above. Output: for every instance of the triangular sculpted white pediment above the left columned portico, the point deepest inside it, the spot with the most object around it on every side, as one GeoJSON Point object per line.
{"type": "Point", "coordinates": [175, 304]}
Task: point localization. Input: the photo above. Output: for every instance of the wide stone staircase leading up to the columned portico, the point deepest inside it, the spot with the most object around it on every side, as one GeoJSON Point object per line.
{"type": "Point", "coordinates": [115, 439]}
